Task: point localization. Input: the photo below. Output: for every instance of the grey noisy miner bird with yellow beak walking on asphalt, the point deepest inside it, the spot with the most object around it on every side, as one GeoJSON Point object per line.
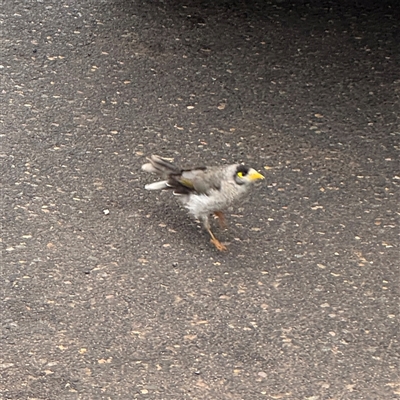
{"type": "Point", "coordinates": [205, 190]}
